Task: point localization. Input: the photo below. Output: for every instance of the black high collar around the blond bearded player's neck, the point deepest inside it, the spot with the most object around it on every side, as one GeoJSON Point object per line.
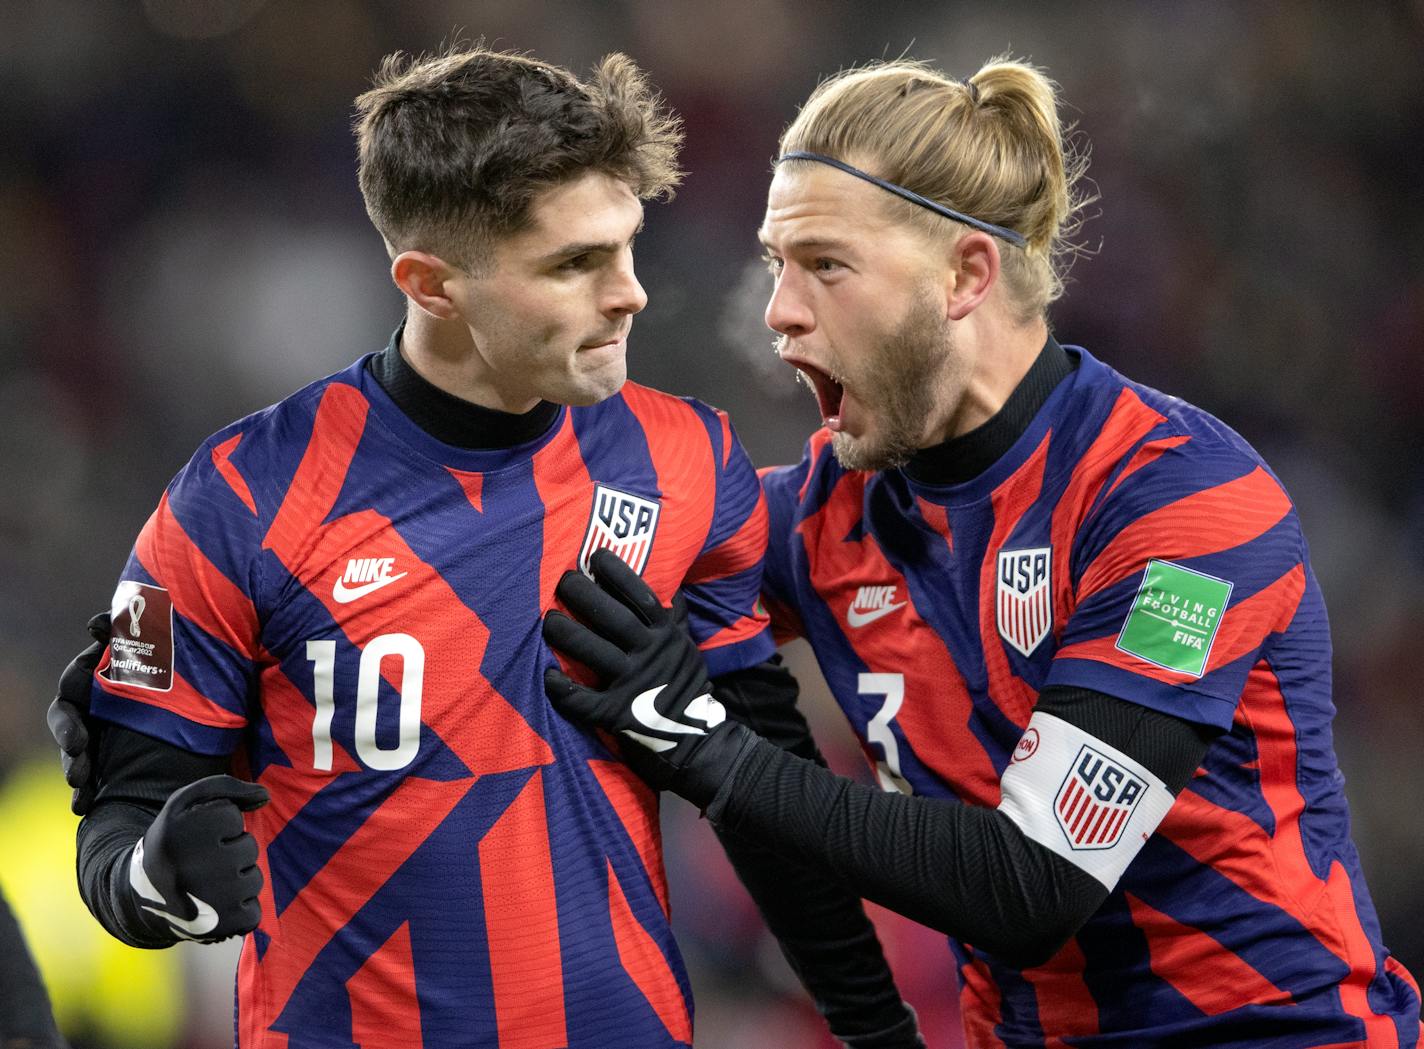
{"type": "Point", "coordinates": [970, 468]}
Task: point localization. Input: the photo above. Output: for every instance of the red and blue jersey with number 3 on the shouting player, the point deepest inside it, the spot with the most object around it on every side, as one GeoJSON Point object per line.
{"type": "Point", "coordinates": [1134, 546]}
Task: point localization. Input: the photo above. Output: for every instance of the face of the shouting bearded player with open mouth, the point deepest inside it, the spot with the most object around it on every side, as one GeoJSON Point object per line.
{"type": "Point", "coordinates": [861, 308]}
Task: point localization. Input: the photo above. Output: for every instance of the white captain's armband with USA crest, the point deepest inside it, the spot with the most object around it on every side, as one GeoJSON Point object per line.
{"type": "Point", "coordinates": [1087, 802]}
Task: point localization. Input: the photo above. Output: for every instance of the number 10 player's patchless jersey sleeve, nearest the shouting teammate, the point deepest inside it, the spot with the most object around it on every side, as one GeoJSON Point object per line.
{"type": "Point", "coordinates": [724, 583]}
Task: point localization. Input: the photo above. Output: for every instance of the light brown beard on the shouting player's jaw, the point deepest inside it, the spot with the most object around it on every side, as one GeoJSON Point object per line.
{"type": "Point", "coordinates": [902, 388]}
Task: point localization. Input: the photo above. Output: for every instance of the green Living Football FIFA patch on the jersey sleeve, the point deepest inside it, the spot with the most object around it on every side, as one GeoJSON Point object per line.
{"type": "Point", "coordinates": [1174, 618]}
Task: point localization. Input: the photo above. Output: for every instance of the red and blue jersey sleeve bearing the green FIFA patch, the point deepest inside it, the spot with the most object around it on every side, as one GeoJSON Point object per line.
{"type": "Point", "coordinates": [1184, 574]}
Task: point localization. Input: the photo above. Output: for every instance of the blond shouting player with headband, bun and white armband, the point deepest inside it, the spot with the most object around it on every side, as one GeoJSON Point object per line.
{"type": "Point", "coordinates": [1073, 620]}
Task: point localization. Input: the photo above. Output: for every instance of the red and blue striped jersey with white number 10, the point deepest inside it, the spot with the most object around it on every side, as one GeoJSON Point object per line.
{"type": "Point", "coordinates": [352, 610]}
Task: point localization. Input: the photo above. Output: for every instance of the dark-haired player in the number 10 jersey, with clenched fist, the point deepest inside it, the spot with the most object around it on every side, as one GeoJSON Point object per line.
{"type": "Point", "coordinates": [340, 600]}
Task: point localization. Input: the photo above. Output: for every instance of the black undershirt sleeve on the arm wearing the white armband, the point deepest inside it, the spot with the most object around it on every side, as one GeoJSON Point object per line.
{"type": "Point", "coordinates": [965, 870]}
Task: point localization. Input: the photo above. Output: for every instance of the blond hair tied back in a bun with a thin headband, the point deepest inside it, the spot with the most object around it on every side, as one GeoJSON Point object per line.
{"type": "Point", "coordinates": [992, 147]}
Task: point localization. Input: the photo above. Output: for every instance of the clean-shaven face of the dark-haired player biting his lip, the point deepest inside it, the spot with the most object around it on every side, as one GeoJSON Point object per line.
{"type": "Point", "coordinates": [550, 320]}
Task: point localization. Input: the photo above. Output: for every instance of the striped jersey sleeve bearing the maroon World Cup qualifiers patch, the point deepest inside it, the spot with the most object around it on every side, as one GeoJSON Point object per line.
{"type": "Point", "coordinates": [183, 655]}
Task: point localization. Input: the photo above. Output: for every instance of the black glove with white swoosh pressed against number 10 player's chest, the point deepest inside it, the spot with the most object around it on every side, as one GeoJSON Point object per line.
{"type": "Point", "coordinates": [656, 690]}
